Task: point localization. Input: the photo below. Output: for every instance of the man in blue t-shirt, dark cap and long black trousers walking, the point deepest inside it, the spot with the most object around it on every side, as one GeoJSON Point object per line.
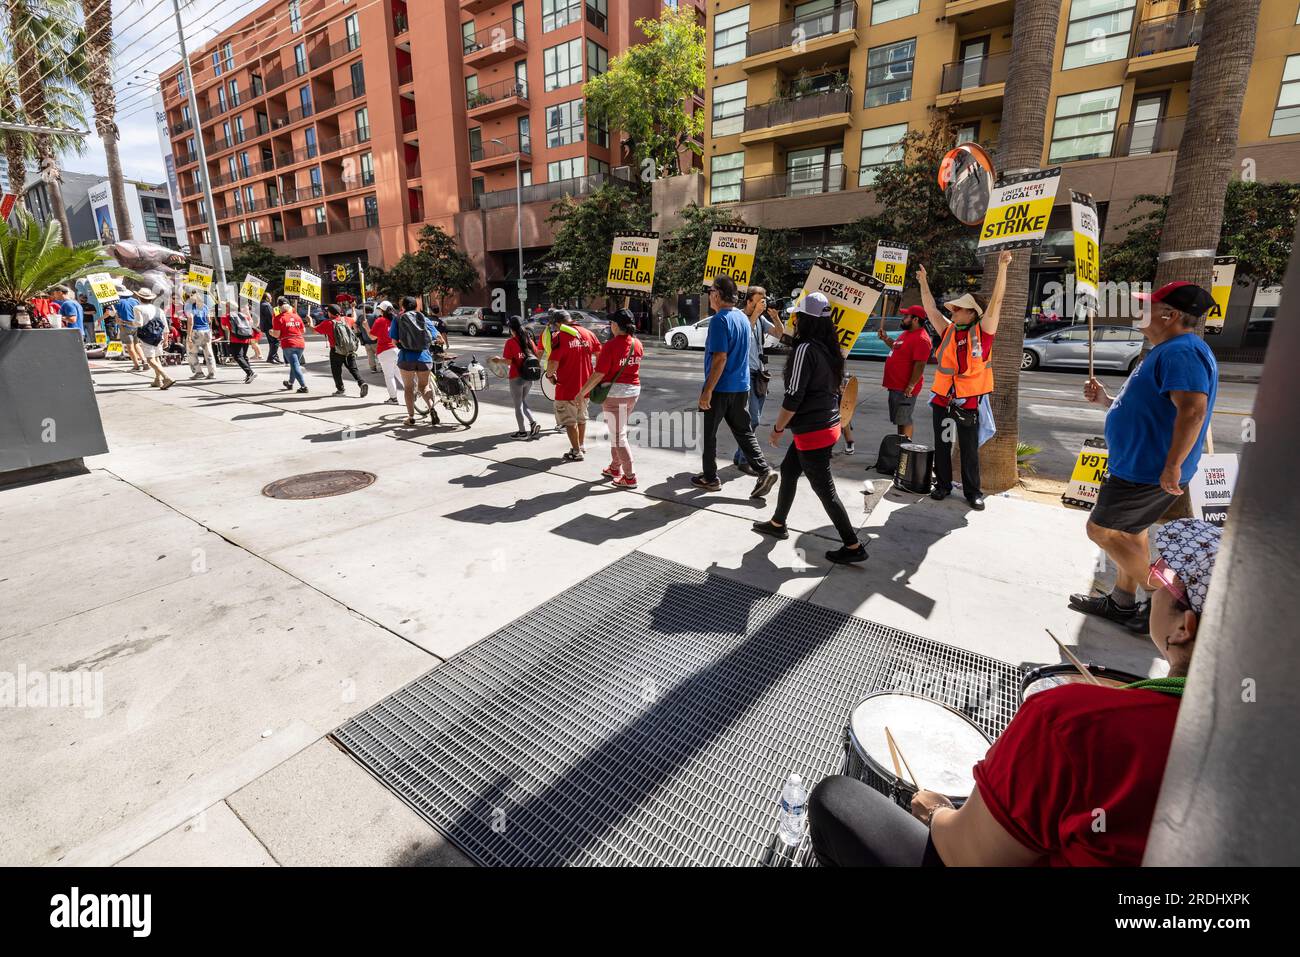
{"type": "Point", "coordinates": [726, 393]}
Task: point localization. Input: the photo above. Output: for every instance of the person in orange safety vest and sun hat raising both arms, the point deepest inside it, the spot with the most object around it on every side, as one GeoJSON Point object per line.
{"type": "Point", "coordinates": [964, 379]}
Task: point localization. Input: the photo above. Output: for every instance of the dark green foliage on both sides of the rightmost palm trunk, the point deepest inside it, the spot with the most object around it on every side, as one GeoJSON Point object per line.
{"type": "Point", "coordinates": [1259, 227]}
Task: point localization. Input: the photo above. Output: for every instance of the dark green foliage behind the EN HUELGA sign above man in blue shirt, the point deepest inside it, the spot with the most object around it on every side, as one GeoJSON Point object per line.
{"type": "Point", "coordinates": [682, 254]}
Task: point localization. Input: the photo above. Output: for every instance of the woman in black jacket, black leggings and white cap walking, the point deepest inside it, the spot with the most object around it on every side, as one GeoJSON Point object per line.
{"type": "Point", "coordinates": [812, 413]}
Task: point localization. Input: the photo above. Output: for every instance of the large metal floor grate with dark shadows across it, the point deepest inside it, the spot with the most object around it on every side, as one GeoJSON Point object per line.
{"type": "Point", "coordinates": [648, 716]}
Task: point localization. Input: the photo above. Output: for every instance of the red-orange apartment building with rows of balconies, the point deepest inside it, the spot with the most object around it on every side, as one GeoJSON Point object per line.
{"type": "Point", "coordinates": [337, 129]}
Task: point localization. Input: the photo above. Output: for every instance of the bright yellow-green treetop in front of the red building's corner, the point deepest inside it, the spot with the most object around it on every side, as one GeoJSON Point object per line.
{"type": "Point", "coordinates": [647, 90]}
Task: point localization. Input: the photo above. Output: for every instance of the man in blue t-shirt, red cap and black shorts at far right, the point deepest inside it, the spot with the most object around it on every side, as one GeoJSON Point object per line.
{"type": "Point", "coordinates": [1155, 432]}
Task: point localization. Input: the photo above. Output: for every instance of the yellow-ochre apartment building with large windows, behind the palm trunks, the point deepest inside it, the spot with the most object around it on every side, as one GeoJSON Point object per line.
{"type": "Point", "coordinates": [809, 101]}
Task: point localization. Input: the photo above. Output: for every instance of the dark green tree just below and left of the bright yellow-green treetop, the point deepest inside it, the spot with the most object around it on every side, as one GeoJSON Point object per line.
{"type": "Point", "coordinates": [584, 235]}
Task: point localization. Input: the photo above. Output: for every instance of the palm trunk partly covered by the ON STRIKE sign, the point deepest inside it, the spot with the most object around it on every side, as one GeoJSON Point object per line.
{"type": "Point", "coordinates": [1025, 114]}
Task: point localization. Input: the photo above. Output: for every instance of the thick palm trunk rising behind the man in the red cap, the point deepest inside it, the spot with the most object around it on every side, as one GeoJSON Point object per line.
{"type": "Point", "coordinates": [1207, 154]}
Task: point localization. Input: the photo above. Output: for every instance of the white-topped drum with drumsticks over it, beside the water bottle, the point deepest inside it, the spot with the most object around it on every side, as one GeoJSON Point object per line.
{"type": "Point", "coordinates": [941, 746]}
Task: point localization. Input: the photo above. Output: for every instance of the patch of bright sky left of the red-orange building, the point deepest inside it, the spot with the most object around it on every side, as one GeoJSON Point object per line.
{"type": "Point", "coordinates": [146, 45]}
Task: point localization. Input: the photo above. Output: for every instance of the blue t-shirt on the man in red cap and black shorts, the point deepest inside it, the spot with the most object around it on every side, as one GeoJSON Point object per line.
{"type": "Point", "coordinates": [1141, 422]}
